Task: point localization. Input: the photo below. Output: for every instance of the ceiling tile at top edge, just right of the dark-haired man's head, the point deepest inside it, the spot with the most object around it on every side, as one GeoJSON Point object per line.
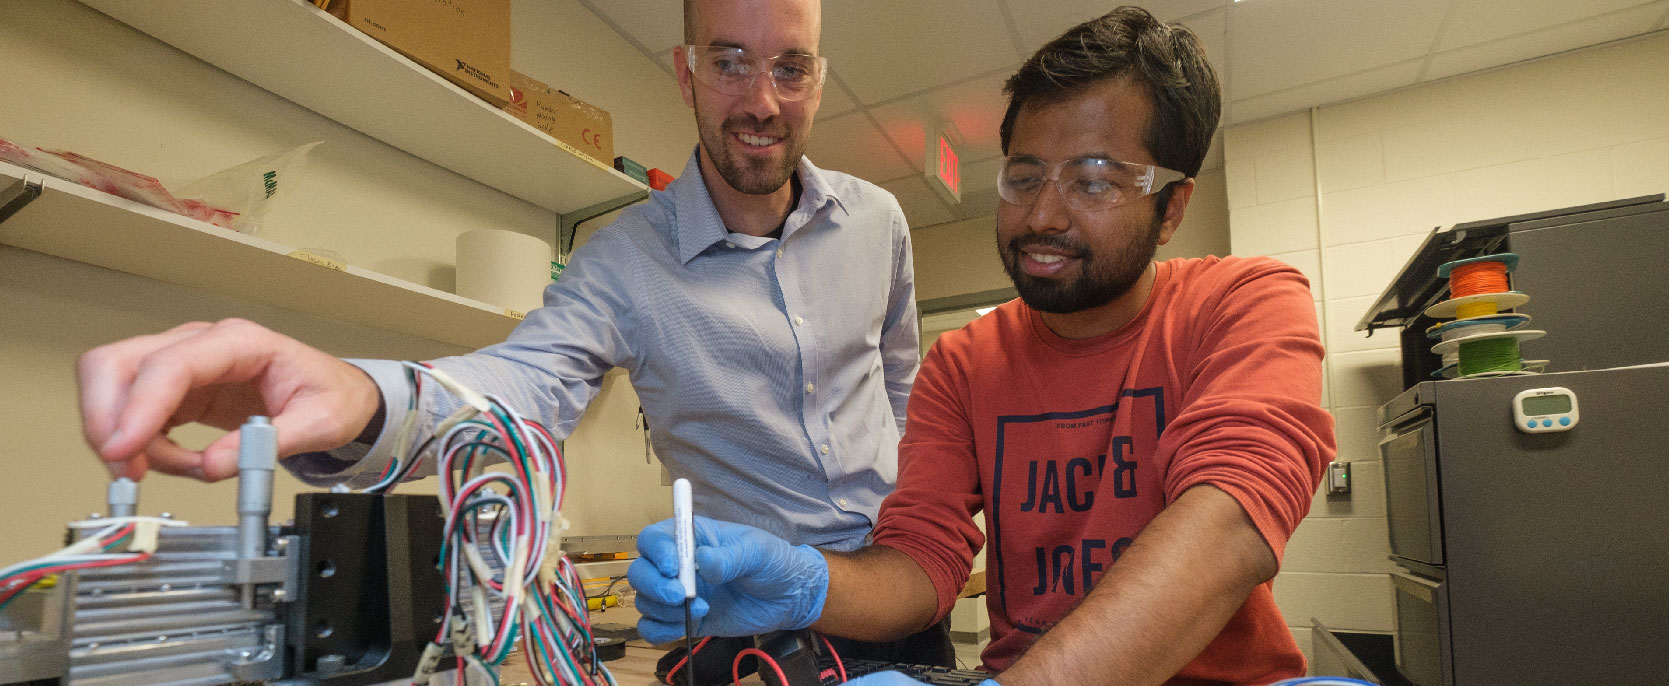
{"type": "Point", "coordinates": [1276, 46]}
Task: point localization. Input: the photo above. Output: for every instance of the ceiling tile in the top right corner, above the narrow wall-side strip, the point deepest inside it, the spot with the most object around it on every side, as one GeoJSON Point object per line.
{"type": "Point", "coordinates": [1475, 23]}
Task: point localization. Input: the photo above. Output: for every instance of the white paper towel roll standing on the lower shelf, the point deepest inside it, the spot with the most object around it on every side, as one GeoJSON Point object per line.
{"type": "Point", "coordinates": [503, 268]}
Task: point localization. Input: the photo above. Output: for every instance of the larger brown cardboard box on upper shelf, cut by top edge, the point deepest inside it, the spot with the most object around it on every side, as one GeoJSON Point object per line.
{"type": "Point", "coordinates": [465, 41]}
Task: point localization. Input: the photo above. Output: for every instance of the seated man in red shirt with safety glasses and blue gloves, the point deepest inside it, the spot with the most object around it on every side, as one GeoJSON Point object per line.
{"type": "Point", "coordinates": [1141, 438]}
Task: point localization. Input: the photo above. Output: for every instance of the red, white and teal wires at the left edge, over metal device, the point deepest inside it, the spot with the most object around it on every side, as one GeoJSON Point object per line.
{"type": "Point", "coordinates": [134, 537]}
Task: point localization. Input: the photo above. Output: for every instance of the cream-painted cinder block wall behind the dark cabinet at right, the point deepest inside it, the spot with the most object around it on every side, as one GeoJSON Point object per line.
{"type": "Point", "coordinates": [1348, 193]}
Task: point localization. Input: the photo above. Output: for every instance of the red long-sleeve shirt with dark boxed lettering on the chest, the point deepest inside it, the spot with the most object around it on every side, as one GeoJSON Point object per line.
{"type": "Point", "coordinates": [1072, 446]}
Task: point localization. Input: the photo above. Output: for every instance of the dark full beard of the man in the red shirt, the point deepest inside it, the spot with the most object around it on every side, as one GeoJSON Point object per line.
{"type": "Point", "coordinates": [1101, 278]}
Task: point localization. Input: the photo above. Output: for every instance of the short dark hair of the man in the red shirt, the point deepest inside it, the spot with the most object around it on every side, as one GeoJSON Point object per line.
{"type": "Point", "coordinates": [1166, 61]}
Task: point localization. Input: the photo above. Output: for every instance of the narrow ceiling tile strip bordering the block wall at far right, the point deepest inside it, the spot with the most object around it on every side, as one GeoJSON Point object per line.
{"type": "Point", "coordinates": [1546, 43]}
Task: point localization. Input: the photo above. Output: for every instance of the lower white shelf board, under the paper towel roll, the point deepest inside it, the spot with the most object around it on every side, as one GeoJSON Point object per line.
{"type": "Point", "coordinates": [89, 226]}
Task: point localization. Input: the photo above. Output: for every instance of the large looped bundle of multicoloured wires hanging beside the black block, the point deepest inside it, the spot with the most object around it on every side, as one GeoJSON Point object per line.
{"type": "Point", "coordinates": [498, 538]}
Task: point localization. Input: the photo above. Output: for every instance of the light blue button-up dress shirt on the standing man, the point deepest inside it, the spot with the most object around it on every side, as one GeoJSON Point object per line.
{"type": "Point", "coordinates": [774, 371]}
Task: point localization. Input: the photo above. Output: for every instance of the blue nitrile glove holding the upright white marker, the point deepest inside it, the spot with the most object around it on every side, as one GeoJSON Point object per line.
{"type": "Point", "coordinates": [747, 582]}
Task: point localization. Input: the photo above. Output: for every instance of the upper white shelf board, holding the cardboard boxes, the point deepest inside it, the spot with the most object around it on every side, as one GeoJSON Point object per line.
{"type": "Point", "coordinates": [315, 61]}
